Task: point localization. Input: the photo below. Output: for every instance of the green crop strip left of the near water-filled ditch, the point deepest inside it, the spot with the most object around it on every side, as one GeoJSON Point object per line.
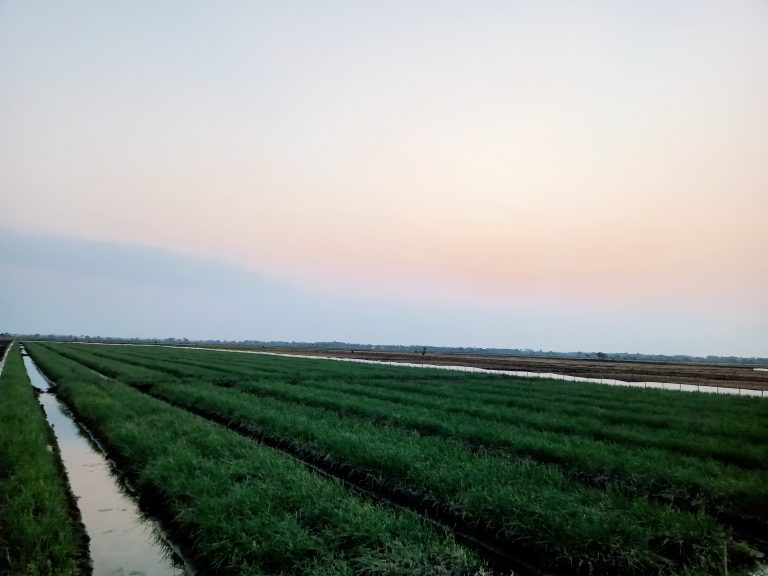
{"type": "Point", "coordinates": [40, 529]}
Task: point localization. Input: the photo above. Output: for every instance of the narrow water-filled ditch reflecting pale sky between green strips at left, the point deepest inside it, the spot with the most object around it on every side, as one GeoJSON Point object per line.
{"type": "Point", "coordinates": [122, 541]}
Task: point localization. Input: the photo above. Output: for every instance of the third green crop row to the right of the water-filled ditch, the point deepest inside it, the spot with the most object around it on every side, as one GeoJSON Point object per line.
{"type": "Point", "coordinates": [686, 481]}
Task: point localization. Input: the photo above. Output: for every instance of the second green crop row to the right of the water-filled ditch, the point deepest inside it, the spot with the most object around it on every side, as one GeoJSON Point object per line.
{"type": "Point", "coordinates": [523, 505]}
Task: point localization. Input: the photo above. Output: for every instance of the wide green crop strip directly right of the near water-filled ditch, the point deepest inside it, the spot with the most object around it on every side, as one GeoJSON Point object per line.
{"type": "Point", "coordinates": [236, 507]}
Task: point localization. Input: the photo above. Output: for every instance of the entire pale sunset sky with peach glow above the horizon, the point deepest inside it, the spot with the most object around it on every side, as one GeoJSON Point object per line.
{"type": "Point", "coordinates": [556, 175]}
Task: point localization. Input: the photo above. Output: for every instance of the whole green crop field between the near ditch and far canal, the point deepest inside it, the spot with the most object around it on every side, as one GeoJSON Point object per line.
{"type": "Point", "coordinates": [263, 464]}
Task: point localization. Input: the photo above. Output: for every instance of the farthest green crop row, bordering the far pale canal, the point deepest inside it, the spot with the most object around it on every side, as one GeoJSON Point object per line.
{"type": "Point", "coordinates": [738, 418]}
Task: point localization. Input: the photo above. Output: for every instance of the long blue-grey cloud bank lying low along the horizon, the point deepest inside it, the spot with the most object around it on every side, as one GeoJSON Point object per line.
{"type": "Point", "coordinates": [55, 284]}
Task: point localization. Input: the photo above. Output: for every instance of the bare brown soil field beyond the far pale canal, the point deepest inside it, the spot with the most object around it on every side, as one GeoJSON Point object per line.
{"type": "Point", "coordinates": [723, 375]}
